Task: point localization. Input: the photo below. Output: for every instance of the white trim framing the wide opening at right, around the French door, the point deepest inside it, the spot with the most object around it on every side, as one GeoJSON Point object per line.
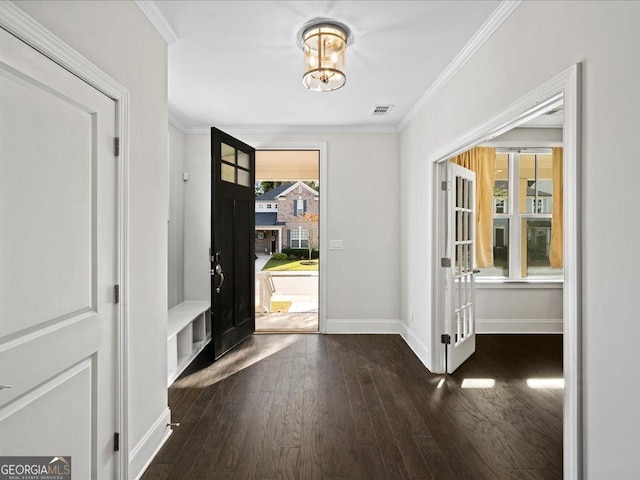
{"type": "Point", "coordinates": [566, 85]}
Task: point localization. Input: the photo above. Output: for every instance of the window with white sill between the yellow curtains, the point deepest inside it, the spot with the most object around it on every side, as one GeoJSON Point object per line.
{"type": "Point", "coordinates": [522, 216]}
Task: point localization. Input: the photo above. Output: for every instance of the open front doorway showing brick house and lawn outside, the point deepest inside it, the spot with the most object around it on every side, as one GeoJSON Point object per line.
{"type": "Point", "coordinates": [287, 241]}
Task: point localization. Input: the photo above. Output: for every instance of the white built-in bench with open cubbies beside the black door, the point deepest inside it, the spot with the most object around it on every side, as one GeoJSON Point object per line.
{"type": "Point", "coordinates": [188, 332]}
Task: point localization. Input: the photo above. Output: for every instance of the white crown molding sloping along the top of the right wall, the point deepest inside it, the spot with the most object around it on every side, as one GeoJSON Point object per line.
{"type": "Point", "coordinates": [487, 29]}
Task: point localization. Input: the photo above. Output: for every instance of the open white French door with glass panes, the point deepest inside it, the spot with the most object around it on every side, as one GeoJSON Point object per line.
{"type": "Point", "coordinates": [460, 245]}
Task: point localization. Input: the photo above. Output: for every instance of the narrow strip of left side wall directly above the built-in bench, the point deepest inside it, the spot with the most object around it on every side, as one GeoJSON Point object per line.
{"type": "Point", "coordinates": [176, 217]}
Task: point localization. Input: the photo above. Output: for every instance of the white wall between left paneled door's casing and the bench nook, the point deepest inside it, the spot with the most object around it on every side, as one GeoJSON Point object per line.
{"type": "Point", "coordinates": [118, 38]}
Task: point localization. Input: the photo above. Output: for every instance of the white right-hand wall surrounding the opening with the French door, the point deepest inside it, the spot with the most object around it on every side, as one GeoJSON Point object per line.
{"type": "Point", "coordinates": [538, 41]}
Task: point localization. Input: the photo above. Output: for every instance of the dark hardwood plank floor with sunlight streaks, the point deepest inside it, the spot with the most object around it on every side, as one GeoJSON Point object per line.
{"type": "Point", "coordinates": [363, 406]}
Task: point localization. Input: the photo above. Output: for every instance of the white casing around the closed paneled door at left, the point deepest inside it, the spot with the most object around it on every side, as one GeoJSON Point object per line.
{"type": "Point", "coordinates": [34, 34]}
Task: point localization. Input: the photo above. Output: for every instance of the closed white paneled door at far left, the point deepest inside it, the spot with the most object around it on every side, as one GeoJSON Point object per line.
{"type": "Point", "coordinates": [58, 265]}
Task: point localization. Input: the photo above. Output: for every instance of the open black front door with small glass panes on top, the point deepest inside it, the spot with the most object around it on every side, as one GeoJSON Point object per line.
{"type": "Point", "coordinates": [232, 241]}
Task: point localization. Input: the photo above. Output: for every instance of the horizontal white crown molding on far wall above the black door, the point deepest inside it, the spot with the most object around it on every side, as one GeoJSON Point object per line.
{"type": "Point", "coordinates": [287, 129]}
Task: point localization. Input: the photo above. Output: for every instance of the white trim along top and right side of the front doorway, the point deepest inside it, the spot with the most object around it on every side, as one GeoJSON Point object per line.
{"type": "Point", "coordinates": [322, 274]}
